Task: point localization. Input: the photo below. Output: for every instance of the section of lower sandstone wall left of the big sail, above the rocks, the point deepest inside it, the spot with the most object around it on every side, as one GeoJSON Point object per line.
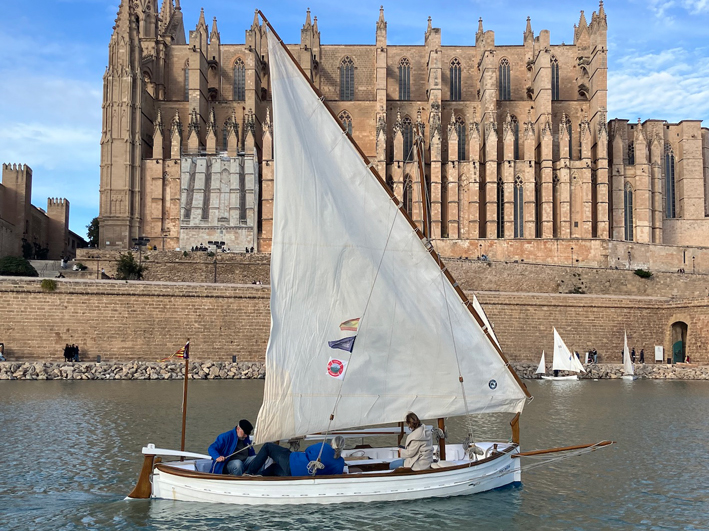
{"type": "Point", "coordinates": [121, 320]}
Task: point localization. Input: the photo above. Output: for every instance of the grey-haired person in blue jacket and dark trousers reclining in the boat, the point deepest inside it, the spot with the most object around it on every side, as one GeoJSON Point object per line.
{"type": "Point", "coordinates": [287, 463]}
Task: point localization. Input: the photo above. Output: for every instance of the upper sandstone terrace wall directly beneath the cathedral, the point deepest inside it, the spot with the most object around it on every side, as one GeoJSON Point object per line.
{"type": "Point", "coordinates": [476, 275]}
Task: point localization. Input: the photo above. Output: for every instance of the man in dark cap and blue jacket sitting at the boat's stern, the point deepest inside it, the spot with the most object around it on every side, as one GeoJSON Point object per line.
{"type": "Point", "coordinates": [233, 449]}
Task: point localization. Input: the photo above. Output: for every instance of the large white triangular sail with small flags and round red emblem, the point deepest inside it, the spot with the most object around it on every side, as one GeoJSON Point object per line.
{"type": "Point", "coordinates": [364, 325]}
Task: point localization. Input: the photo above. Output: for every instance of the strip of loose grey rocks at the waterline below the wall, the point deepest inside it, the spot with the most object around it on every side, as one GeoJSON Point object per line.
{"type": "Point", "coordinates": [210, 370]}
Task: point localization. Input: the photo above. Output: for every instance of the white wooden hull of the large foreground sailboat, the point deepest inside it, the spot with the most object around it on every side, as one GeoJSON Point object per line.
{"type": "Point", "coordinates": [175, 483]}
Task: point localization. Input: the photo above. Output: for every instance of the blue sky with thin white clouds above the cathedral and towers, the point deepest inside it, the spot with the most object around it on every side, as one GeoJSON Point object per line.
{"type": "Point", "coordinates": [51, 120]}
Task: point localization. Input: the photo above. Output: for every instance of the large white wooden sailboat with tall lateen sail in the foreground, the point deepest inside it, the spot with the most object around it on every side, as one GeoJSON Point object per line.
{"type": "Point", "coordinates": [366, 325]}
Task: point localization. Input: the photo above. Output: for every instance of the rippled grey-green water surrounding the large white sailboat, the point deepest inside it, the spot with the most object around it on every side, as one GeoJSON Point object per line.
{"type": "Point", "coordinates": [71, 452]}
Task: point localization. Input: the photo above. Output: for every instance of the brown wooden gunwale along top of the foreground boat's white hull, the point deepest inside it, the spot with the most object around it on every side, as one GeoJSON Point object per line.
{"type": "Point", "coordinates": [164, 467]}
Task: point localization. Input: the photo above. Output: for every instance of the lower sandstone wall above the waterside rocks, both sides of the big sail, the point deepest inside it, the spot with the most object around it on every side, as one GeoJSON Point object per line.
{"type": "Point", "coordinates": [123, 321]}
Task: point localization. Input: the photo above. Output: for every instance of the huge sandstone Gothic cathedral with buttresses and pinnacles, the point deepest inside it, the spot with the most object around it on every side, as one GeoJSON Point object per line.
{"type": "Point", "coordinates": [517, 146]}
